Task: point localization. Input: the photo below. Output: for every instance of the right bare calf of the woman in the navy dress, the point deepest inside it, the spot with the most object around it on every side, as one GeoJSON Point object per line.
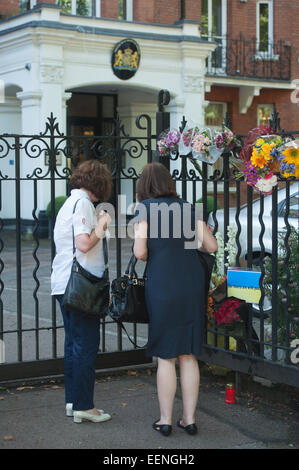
{"type": "Point", "coordinates": [190, 381]}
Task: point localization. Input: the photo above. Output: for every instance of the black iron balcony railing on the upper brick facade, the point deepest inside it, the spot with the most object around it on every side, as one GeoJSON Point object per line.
{"type": "Point", "coordinates": [243, 57]}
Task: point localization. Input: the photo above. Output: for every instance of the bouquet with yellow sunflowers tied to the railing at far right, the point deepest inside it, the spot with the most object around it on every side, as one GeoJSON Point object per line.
{"type": "Point", "coordinates": [266, 156]}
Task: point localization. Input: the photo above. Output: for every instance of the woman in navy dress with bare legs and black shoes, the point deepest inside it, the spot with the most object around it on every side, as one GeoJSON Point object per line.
{"type": "Point", "coordinates": [175, 294]}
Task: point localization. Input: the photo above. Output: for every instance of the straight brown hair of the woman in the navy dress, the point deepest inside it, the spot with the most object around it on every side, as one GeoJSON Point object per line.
{"type": "Point", "coordinates": [155, 181]}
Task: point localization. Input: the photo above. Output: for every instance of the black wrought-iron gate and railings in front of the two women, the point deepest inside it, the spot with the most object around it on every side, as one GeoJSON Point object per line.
{"type": "Point", "coordinates": [28, 316]}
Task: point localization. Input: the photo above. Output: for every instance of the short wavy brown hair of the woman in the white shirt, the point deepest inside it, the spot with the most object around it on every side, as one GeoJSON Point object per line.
{"type": "Point", "coordinates": [93, 176]}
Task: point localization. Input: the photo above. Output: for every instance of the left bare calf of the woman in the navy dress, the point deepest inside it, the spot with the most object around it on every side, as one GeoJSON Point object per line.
{"type": "Point", "coordinates": [166, 385]}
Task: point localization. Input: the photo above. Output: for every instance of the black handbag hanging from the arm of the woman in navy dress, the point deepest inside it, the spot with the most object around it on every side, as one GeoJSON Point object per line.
{"type": "Point", "coordinates": [127, 301]}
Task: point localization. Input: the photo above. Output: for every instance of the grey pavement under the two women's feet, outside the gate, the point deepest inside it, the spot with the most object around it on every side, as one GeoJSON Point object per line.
{"type": "Point", "coordinates": [33, 417]}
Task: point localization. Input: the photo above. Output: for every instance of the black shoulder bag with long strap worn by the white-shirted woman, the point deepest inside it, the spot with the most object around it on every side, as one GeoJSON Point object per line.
{"type": "Point", "coordinates": [86, 293]}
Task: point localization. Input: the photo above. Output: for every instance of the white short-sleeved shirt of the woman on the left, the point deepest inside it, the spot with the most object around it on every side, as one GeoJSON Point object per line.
{"type": "Point", "coordinates": [84, 221]}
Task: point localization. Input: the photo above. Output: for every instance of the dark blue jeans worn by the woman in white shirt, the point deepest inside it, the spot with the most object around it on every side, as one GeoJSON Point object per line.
{"type": "Point", "coordinates": [82, 339]}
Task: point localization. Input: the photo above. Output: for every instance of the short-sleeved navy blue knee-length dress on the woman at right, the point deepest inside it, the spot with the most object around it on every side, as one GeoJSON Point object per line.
{"type": "Point", "coordinates": [175, 293]}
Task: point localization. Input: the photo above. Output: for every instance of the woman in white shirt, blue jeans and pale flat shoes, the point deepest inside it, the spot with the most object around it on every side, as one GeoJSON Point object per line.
{"type": "Point", "coordinates": [91, 182]}
